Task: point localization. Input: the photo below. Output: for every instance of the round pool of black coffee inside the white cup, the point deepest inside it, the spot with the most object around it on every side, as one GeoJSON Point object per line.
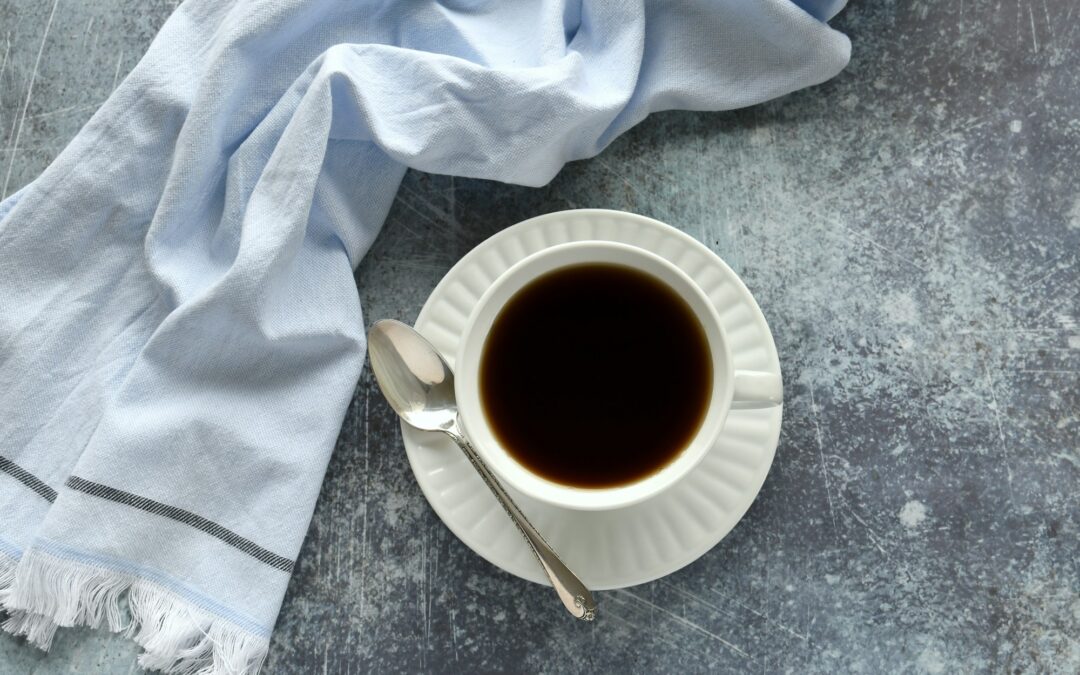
{"type": "Point", "coordinates": [596, 375]}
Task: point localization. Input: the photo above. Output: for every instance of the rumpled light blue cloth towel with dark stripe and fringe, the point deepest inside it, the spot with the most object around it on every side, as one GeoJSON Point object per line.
{"type": "Point", "coordinates": [180, 327]}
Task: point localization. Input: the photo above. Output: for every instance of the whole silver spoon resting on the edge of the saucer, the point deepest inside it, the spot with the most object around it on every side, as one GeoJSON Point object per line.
{"type": "Point", "coordinates": [420, 386]}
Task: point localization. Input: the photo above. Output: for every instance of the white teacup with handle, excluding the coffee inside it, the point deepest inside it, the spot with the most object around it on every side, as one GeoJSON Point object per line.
{"type": "Point", "coordinates": [748, 388]}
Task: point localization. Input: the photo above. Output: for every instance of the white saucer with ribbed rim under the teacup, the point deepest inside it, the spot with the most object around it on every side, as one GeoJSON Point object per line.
{"type": "Point", "coordinates": [607, 549]}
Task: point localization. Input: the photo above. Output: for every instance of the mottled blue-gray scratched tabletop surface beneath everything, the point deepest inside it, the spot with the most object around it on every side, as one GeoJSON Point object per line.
{"type": "Point", "coordinates": [912, 231]}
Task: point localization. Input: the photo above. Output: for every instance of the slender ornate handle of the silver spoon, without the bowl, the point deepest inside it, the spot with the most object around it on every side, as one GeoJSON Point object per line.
{"type": "Point", "coordinates": [572, 591]}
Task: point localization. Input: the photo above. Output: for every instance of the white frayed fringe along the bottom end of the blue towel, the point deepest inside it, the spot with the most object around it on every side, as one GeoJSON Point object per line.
{"type": "Point", "coordinates": [43, 592]}
